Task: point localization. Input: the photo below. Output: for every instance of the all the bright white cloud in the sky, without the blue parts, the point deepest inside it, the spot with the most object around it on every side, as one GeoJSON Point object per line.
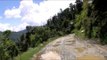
{"type": "Point", "coordinates": [35, 14]}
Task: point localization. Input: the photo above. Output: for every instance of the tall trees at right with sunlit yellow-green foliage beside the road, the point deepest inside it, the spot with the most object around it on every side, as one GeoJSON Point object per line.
{"type": "Point", "coordinates": [91, 21]}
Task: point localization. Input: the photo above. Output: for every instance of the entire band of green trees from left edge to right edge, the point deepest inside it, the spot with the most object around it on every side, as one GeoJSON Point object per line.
{"type": "Point", "coordinates": [83, 18]}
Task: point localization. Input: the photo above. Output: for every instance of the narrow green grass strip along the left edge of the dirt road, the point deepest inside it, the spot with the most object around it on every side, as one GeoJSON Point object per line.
{"type": "Point", "coordinates": [31, 51]}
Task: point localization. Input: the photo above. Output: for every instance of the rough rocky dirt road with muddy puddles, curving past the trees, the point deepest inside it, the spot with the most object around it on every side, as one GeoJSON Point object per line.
{"type": "Point", "coordinates": [71, 48]}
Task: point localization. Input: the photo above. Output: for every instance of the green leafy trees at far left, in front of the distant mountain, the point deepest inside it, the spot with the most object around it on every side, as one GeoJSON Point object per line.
{"type": "Point", "coordinates": [8, 48]}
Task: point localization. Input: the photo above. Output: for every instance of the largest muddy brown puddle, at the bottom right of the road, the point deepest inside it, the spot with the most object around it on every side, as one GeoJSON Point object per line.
{"type": "Point", "coordinates": [91, 57]}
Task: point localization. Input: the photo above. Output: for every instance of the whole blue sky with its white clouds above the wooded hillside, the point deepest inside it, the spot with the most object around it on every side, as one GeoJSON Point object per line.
{"type": "Point", "coordinates": [15, 15]}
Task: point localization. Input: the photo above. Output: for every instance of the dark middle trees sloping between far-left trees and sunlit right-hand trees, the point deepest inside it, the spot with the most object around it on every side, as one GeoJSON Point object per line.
{"type": "Point", "coordinates": [60, 24]}
